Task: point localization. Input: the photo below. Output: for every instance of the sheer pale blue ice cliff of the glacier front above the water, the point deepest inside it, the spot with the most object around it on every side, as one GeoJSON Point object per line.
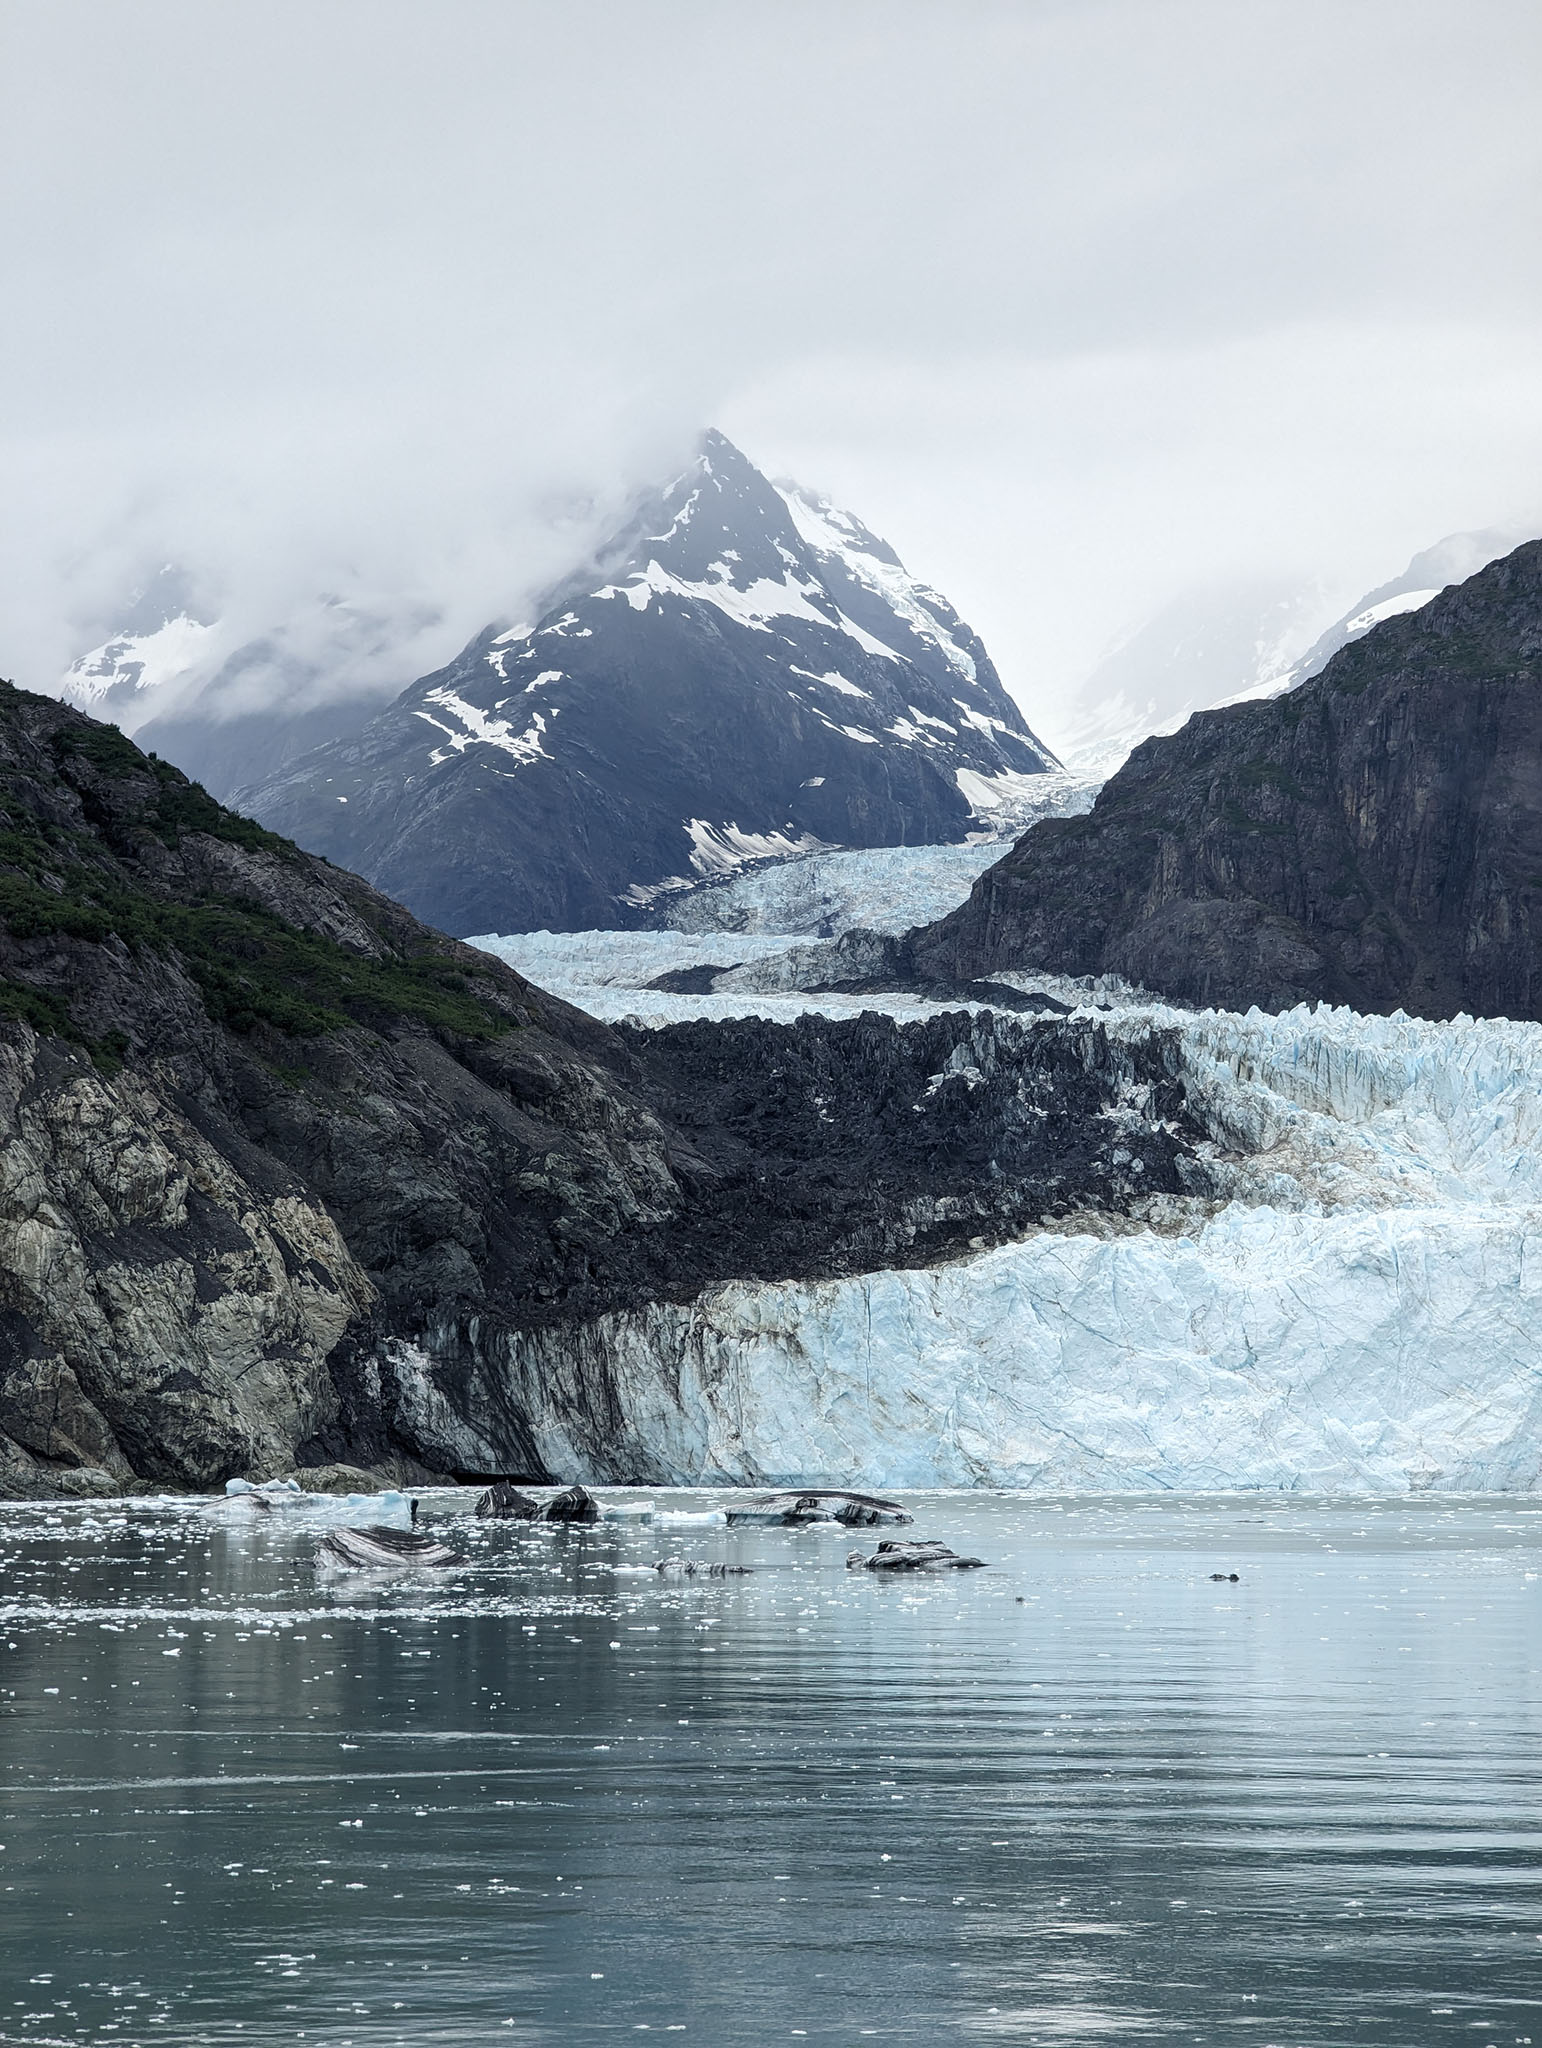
{"type": "Point", "coordinates": [1385, 1353]}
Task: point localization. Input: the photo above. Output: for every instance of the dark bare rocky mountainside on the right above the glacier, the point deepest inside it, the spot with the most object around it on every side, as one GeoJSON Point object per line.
{"type": "Point", "coordinates": [1373, 839]}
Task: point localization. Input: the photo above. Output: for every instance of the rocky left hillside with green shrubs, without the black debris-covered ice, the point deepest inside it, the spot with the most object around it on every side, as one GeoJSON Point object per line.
{"type": "Point", "coordinates": [251, 1121]}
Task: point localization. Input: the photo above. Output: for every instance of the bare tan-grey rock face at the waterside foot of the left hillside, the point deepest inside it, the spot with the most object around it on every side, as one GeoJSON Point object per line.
{"type": "Point", "coordinates": [167, 1320]}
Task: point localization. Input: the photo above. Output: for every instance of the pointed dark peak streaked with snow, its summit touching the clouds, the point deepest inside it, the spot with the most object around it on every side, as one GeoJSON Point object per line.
{"type": "Point", "coordinates": [748, 673]}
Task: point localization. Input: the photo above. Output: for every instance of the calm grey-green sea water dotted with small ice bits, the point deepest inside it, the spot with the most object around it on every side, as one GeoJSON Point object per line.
{"type": "Point", "coordinates": [1080, 1797]}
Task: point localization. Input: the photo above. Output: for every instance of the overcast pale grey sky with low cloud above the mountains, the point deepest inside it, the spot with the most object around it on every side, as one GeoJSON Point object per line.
{"type": "Point", "coordinates": [1080, 304]}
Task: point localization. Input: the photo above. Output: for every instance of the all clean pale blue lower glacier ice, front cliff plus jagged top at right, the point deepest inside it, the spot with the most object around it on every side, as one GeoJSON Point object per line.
{"type": "Point", "coordinates": [1355, 1312]}
